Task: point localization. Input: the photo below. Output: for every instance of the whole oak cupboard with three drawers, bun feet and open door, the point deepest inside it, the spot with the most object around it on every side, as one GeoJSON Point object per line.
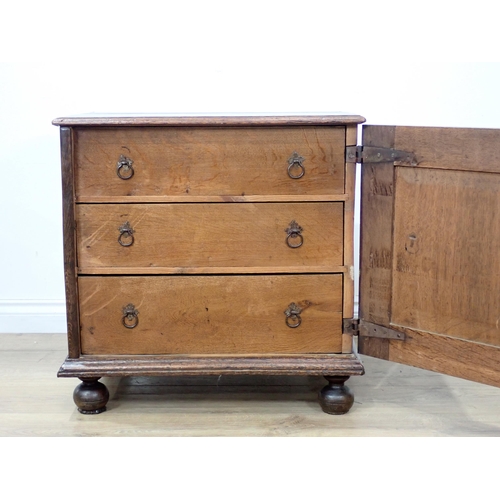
{"type": "Point", "coordinates": [218, 245]}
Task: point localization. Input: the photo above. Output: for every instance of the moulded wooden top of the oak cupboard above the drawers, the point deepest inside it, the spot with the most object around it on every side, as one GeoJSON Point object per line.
{"type": "Point", "coordinates": [209, 119]}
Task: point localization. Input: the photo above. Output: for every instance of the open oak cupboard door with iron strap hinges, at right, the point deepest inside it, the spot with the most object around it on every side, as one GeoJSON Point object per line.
{"type": "Point", "coordinates": [430, 250]}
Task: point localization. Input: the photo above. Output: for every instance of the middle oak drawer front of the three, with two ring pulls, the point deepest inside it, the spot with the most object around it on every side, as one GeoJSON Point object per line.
{"type": "Point", "coordinates": [174, 238]}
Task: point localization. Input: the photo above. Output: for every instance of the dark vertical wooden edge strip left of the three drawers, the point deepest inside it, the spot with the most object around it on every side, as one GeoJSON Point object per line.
{"type": "Point", "coordinates": [69, 241]}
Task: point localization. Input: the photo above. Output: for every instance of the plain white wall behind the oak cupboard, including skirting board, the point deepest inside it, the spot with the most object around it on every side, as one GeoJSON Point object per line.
{"type": "Point", "coordinates": [212, 56]}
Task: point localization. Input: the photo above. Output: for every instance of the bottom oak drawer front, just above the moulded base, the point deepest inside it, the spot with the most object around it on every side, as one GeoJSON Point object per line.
{"type": "Point", "coordinates": [211, 314]}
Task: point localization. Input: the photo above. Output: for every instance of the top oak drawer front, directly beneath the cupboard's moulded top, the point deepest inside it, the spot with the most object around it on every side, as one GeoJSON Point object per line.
{"type": "Point", "coordinates": [207, 164]}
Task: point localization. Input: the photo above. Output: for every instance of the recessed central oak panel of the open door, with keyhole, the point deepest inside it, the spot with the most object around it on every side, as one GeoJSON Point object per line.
{"type": "Point", "coordinates": [446, 267]}
